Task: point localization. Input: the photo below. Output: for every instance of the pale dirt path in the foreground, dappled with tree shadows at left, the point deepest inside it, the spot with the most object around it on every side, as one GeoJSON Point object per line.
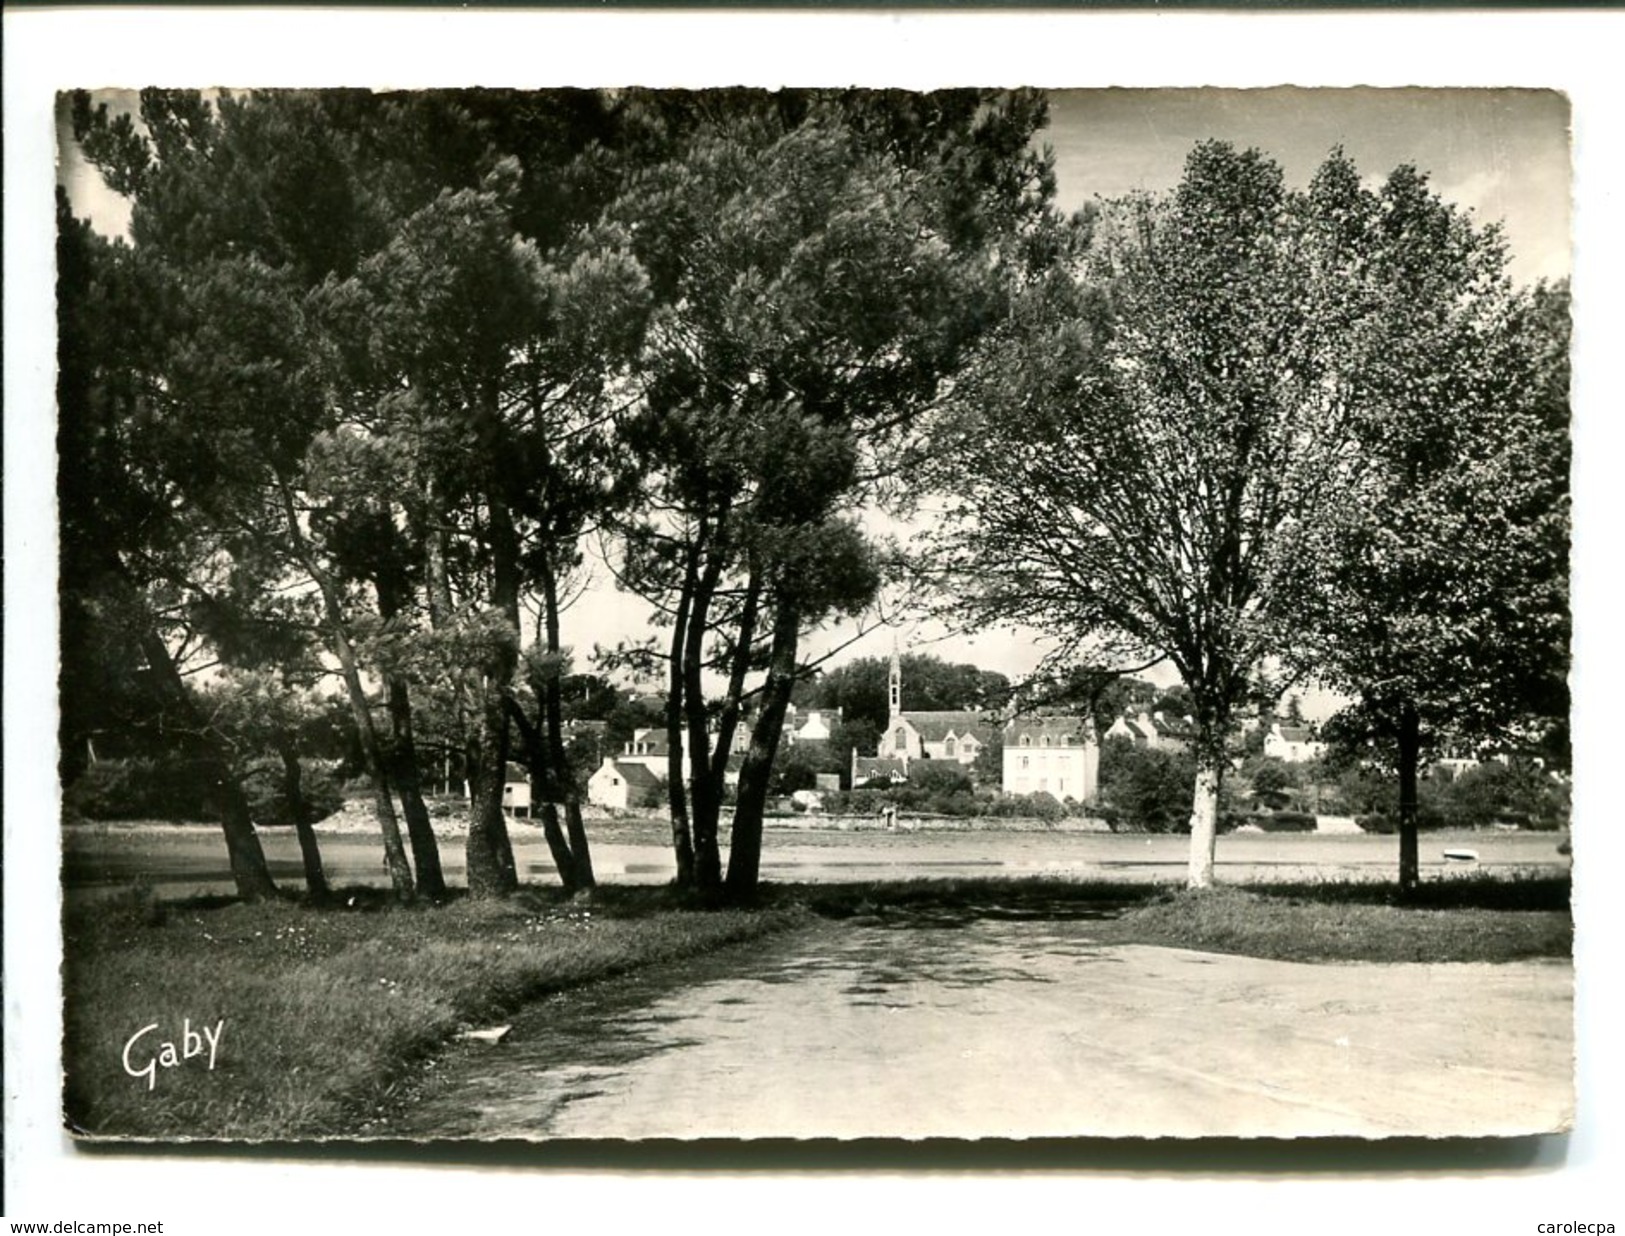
{"type": "Point", "coordinates": [1020, 1031]}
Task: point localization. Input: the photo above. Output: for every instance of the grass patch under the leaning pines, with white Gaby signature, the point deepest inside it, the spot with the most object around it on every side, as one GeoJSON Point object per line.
{"type": "Point", "coordinates": [326, 1009]}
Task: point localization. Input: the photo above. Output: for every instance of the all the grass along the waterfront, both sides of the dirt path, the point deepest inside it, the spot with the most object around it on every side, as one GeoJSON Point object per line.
{"type": "Point", "coordinates": [329, 1011]}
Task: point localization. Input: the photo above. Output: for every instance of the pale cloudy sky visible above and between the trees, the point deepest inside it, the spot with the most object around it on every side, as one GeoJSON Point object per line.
{"type": "Point", "coordinates": [1501, 153]}
